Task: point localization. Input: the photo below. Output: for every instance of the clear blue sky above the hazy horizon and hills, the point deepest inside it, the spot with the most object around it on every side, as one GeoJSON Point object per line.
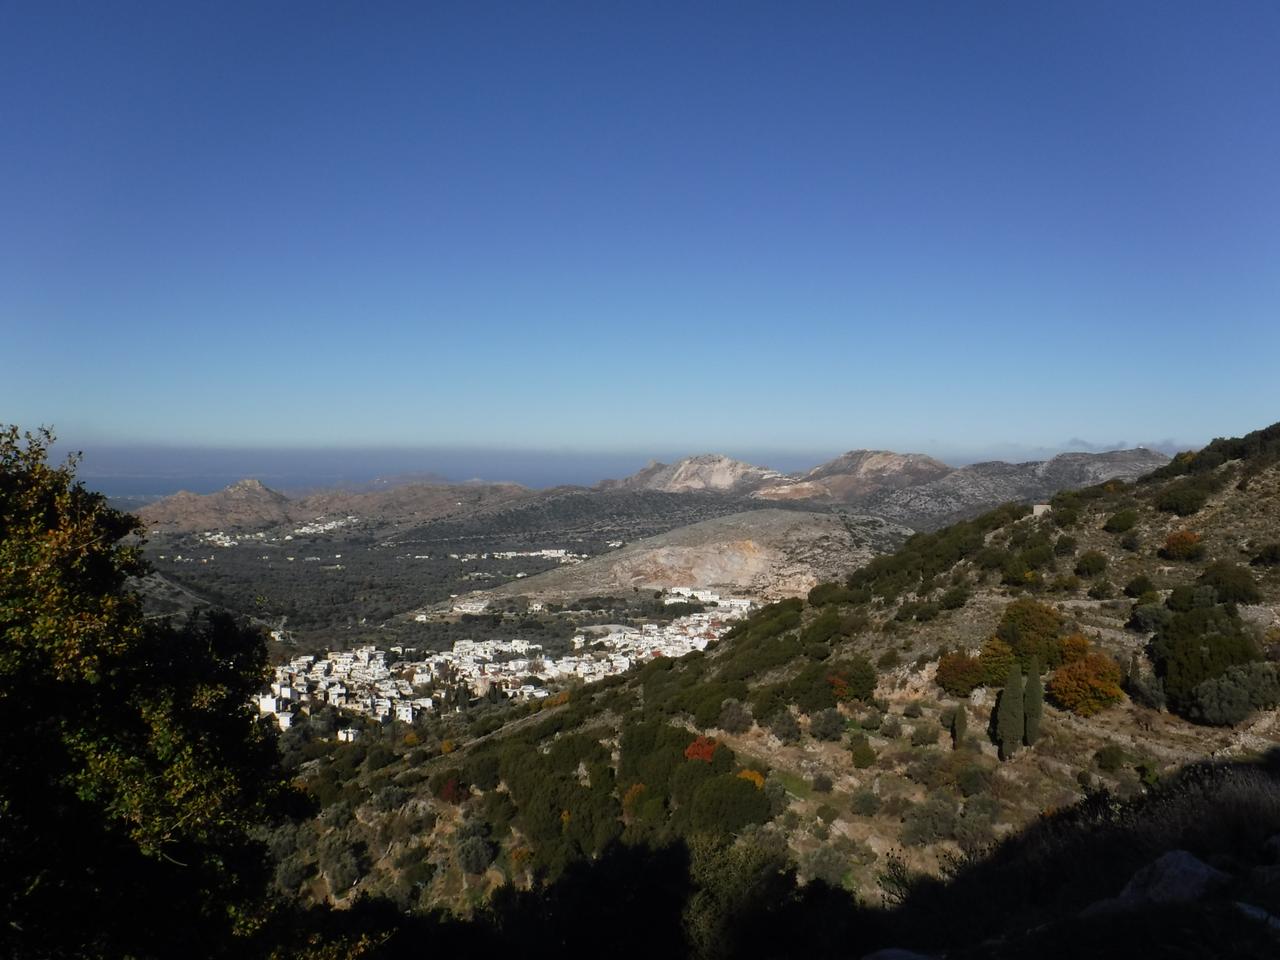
{"type": "Point", "coordinates": [651, 226]}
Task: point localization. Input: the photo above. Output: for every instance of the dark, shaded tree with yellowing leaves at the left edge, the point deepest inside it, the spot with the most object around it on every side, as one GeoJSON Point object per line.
{"type": "Point", "coordinates": [132, 764]}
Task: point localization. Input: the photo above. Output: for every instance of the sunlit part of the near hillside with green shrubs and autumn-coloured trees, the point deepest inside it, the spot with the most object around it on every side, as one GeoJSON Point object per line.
{"type": "Point", "coordinates": [853, 688]}
